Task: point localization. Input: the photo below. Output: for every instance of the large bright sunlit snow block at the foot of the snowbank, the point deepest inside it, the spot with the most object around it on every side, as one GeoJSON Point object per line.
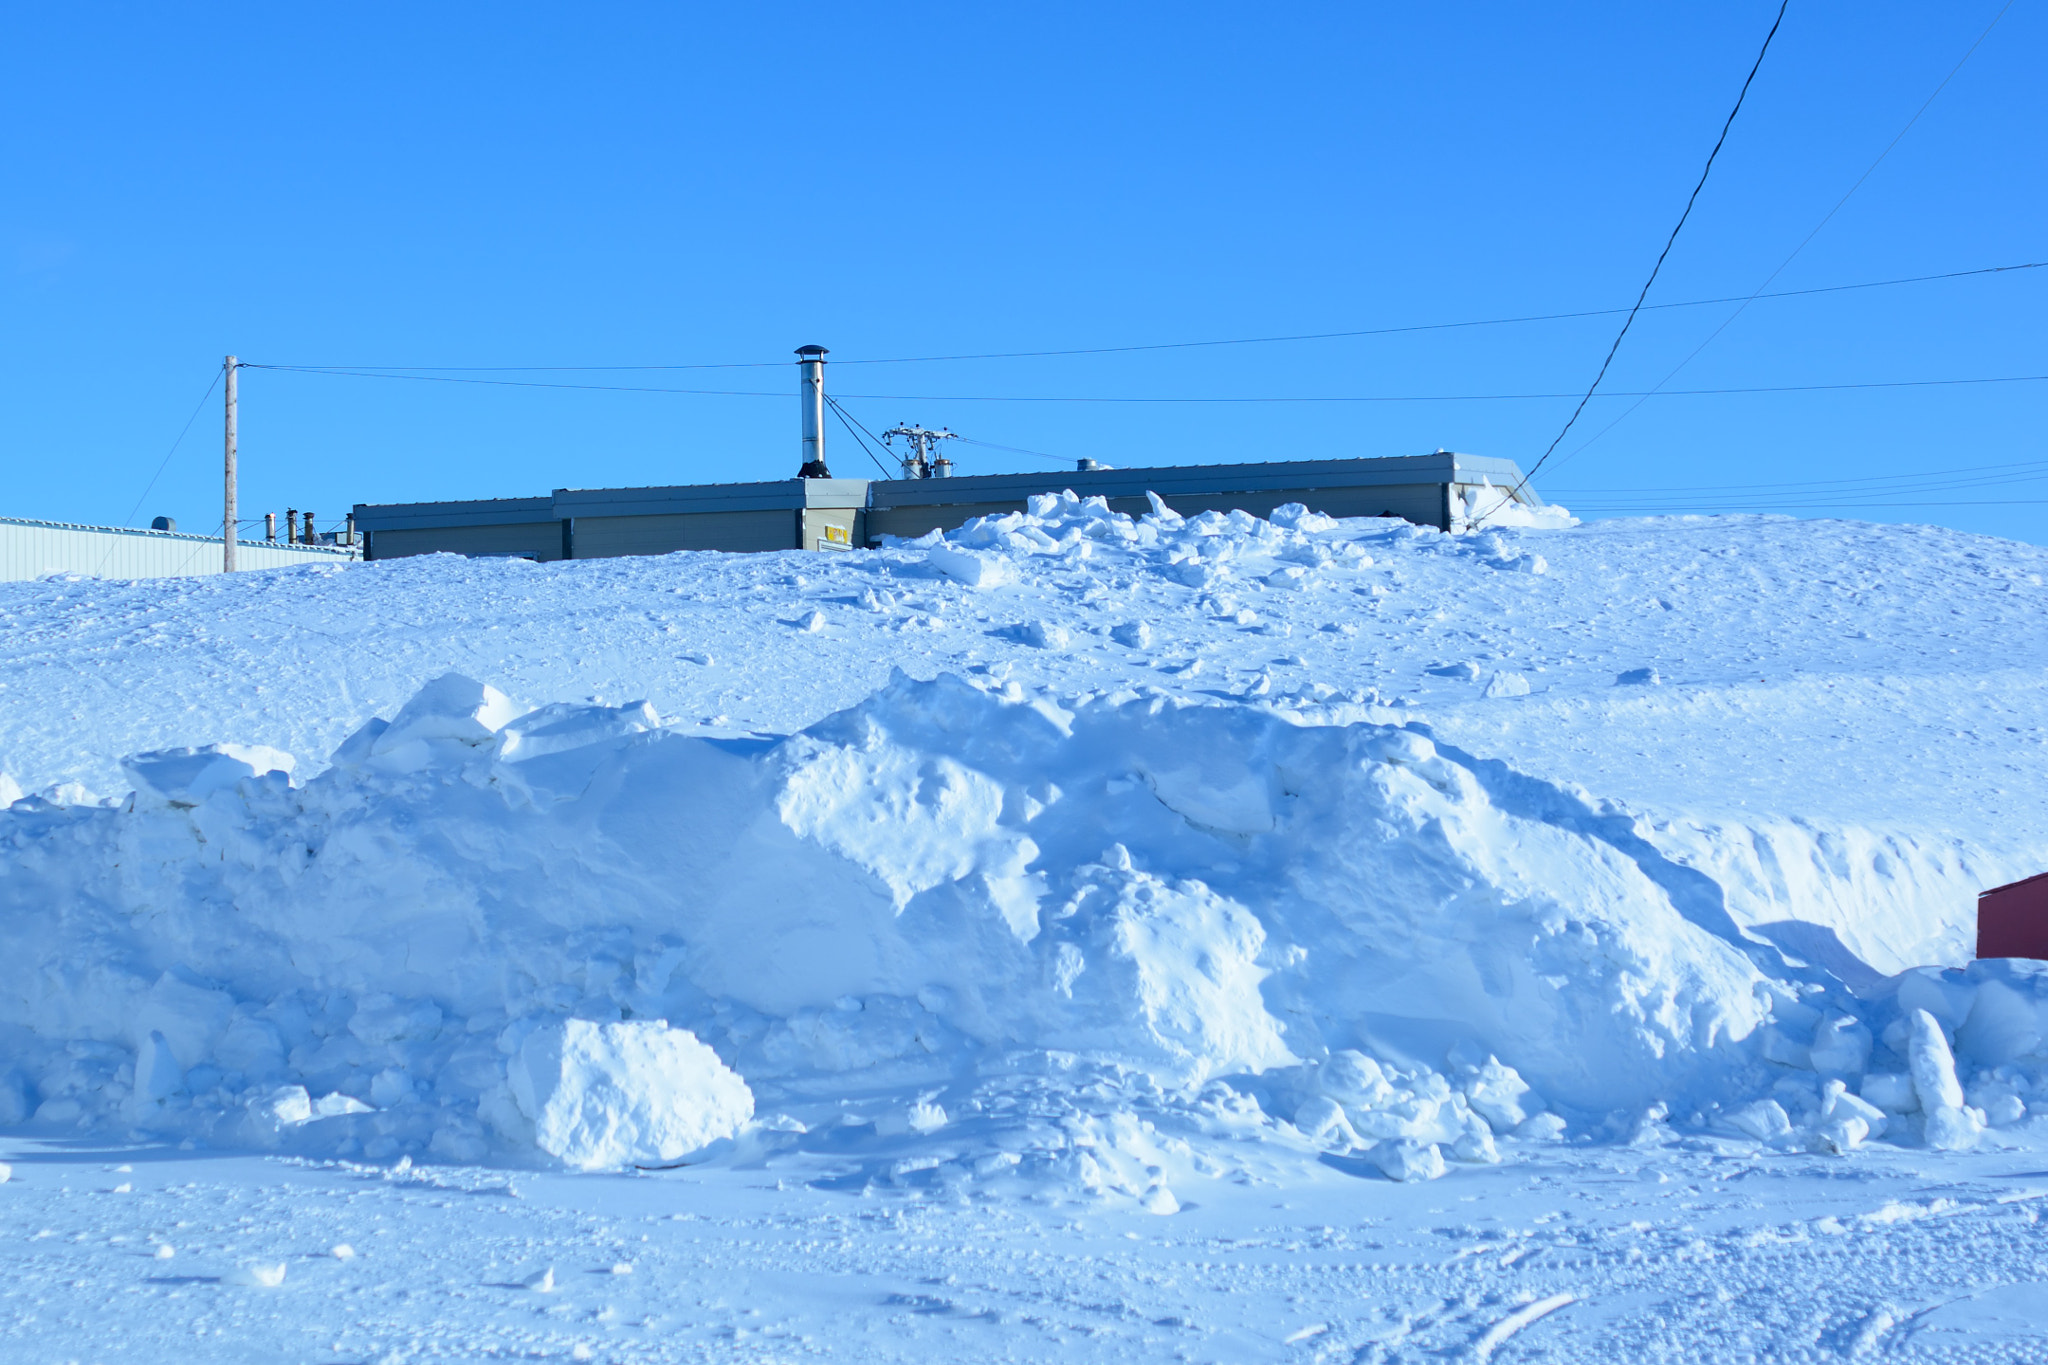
{"type": "Point", "coordinates": [607, 1096]}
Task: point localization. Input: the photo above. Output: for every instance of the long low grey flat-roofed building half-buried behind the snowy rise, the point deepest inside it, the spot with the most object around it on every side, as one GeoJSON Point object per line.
{"type": "Point", "coordinates": [841, 515]}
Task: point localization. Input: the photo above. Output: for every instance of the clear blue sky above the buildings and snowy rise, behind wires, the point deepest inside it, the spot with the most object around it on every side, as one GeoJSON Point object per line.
{"type": "Point", "coordinates": [691, 185]}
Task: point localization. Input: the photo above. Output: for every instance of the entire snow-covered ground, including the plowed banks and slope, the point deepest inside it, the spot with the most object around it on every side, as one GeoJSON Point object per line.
{"type": "Point", "coordinates": [1197, 940]}
